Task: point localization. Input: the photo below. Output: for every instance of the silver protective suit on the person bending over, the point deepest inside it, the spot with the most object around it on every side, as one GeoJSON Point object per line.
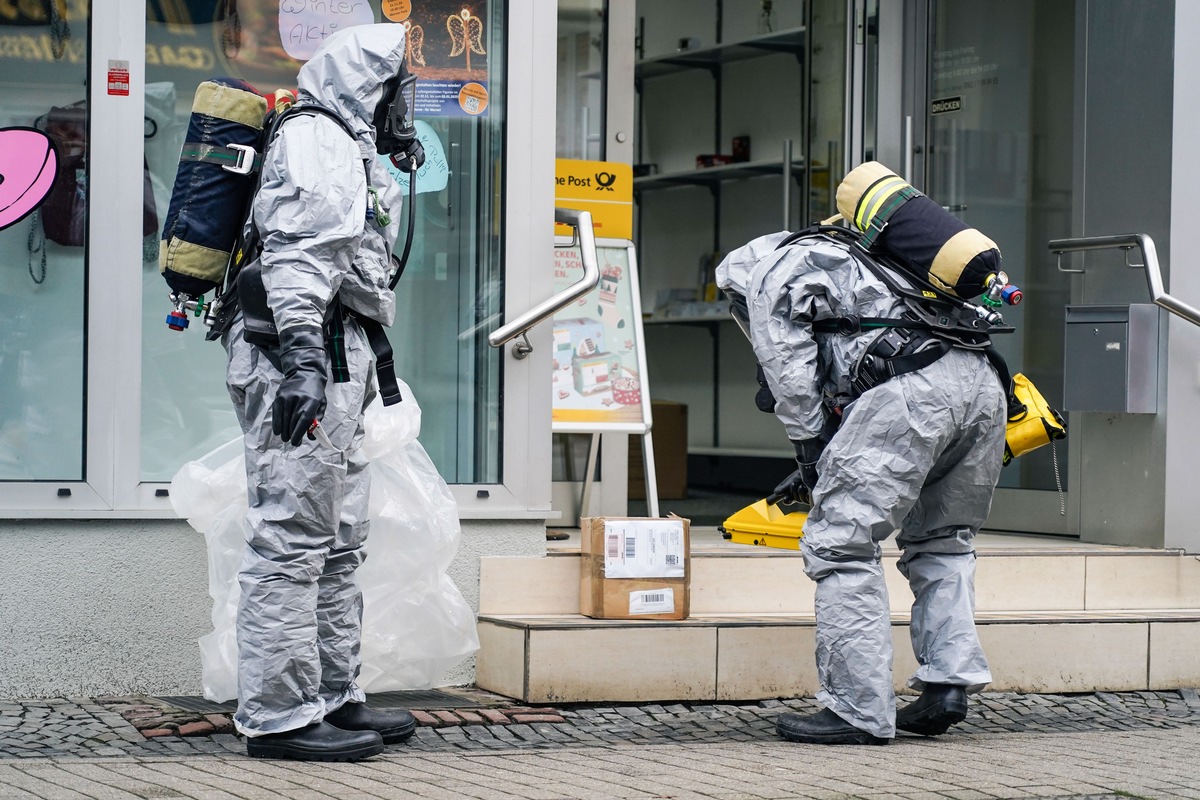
{"type": "Point", "coordinates": [920, 454]}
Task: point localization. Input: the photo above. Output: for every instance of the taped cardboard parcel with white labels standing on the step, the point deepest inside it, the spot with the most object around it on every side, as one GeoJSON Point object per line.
{"type": "Point", "coordinates": [635, 568]}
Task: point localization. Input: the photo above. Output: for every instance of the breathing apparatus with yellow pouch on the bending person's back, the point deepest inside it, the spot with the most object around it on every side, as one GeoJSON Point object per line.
{"type": "Point", "coordinates": [934, 263]}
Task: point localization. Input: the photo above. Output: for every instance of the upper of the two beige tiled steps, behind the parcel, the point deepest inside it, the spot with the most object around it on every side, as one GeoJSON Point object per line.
{"type": "Point", "coordinates": [1012, 574]}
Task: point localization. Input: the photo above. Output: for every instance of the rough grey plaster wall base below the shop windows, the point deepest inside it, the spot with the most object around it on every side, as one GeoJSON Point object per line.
{"type": "Point", "coordinates": [116, 607]}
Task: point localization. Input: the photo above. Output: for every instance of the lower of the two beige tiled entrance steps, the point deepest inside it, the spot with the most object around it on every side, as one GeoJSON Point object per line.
{"type": "Point", "coordinates": [572, 659]}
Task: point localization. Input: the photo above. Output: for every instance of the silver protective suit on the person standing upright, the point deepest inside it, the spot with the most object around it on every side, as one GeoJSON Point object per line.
{"type": "Point", "coordinates": [299, 618]}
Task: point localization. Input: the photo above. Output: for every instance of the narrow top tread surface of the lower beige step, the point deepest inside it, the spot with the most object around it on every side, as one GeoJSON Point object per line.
{"type": "Point", "coordinates": [578, 622]}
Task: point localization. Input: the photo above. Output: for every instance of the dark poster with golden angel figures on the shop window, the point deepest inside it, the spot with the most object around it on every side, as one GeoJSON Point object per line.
{"type": "Point", "coordinates": [449, 46]}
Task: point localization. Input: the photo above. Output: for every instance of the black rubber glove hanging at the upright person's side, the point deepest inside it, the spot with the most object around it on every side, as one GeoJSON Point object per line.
{"type": "Point", "coordinates": [301, 400]}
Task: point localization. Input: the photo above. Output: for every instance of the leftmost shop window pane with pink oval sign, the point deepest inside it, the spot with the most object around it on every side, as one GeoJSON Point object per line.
{"type": "Point", "coordinates": [44, 261]}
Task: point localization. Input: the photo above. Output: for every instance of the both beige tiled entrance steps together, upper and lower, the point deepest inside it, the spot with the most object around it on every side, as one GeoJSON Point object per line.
{"type": "Point", "coordinates": [1054, 616]}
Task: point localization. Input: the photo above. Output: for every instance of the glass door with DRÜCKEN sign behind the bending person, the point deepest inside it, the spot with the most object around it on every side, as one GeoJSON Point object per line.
{"type": "Point", "coordinates": [995, 103]}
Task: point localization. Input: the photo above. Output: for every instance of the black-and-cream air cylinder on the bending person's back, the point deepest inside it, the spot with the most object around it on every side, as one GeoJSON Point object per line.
{"type": "Point", "coordinates": [919, 233]}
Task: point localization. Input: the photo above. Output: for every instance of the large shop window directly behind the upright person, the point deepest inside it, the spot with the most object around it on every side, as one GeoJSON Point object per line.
{"type": "Point", "coordinates": [451, 290]}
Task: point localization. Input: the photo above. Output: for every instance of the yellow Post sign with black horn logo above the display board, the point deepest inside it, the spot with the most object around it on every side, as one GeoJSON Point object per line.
{"type": "Point", "coordinates": [602, 188]}
